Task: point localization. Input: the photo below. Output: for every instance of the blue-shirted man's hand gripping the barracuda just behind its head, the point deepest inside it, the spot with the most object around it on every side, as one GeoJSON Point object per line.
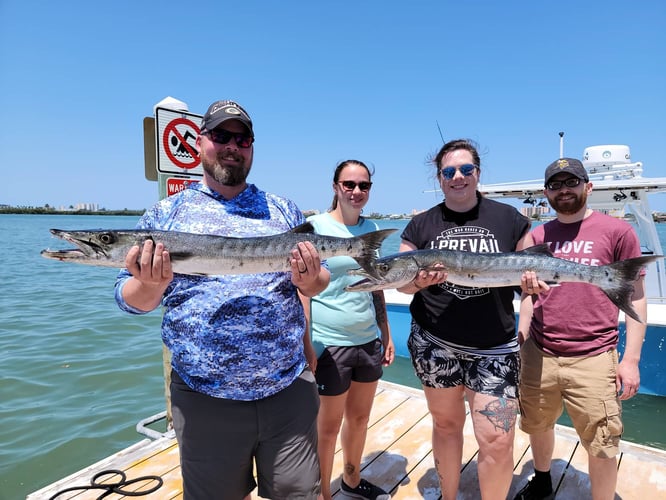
{"type": "Point", "coordinates": [151, 272]}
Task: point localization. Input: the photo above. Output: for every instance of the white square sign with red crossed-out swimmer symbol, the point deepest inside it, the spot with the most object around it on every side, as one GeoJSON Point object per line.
{"type": "Point", "coordinates": [177, 132]}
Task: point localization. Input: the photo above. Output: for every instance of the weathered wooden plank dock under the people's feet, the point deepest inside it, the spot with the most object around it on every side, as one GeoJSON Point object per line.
{"type": "Point", "coordinates": [397, 457]}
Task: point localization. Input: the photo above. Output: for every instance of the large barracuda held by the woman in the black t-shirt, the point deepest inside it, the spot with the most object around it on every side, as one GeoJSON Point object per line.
{"type": "Point", "coordinates": [491, 270]}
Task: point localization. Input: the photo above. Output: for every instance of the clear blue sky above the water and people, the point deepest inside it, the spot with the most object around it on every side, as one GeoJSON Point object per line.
{"type": "Point", "coordinates": [325, 81]}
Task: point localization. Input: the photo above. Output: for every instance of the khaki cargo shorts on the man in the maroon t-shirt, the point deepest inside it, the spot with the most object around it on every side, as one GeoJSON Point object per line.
{"type": "Point", "coordinates": [585, 385]}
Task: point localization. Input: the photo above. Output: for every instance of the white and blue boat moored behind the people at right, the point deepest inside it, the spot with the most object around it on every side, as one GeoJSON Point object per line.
{"type": "Point", "coordinates": [620, 190]}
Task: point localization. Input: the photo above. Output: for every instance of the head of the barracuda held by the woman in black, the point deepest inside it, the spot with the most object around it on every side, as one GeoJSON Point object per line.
{"type": "Point", "coordinates": [393, 271]}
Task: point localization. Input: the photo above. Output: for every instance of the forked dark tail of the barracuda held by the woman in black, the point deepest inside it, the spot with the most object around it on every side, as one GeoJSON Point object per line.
{"type": "Point", "coordinates": [619, 284]}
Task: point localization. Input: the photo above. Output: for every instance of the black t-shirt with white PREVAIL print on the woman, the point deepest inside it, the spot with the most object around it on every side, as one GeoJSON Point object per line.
{"type": "Point", "coordinates": [474, 317]}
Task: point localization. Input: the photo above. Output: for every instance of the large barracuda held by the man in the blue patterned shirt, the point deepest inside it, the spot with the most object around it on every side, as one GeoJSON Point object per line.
{"type": "Point", "coordinates": [202, 254]}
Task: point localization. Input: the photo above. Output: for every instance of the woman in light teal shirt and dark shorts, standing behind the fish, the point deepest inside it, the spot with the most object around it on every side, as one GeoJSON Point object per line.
{"type": "Point", "coordinates": [350, 339]}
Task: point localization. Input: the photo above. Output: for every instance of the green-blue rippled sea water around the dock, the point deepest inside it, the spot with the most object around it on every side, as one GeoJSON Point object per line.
{"type": "Point", "coordinates": [77, 374]}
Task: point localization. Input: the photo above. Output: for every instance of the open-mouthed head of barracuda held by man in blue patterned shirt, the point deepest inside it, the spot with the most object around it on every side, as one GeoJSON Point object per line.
{"type": "Point", "coordinates": [97, 247]}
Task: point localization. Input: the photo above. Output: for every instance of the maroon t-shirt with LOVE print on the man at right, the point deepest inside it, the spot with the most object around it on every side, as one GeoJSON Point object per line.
{"type": "Point", "coordinates": [577, 319]}
